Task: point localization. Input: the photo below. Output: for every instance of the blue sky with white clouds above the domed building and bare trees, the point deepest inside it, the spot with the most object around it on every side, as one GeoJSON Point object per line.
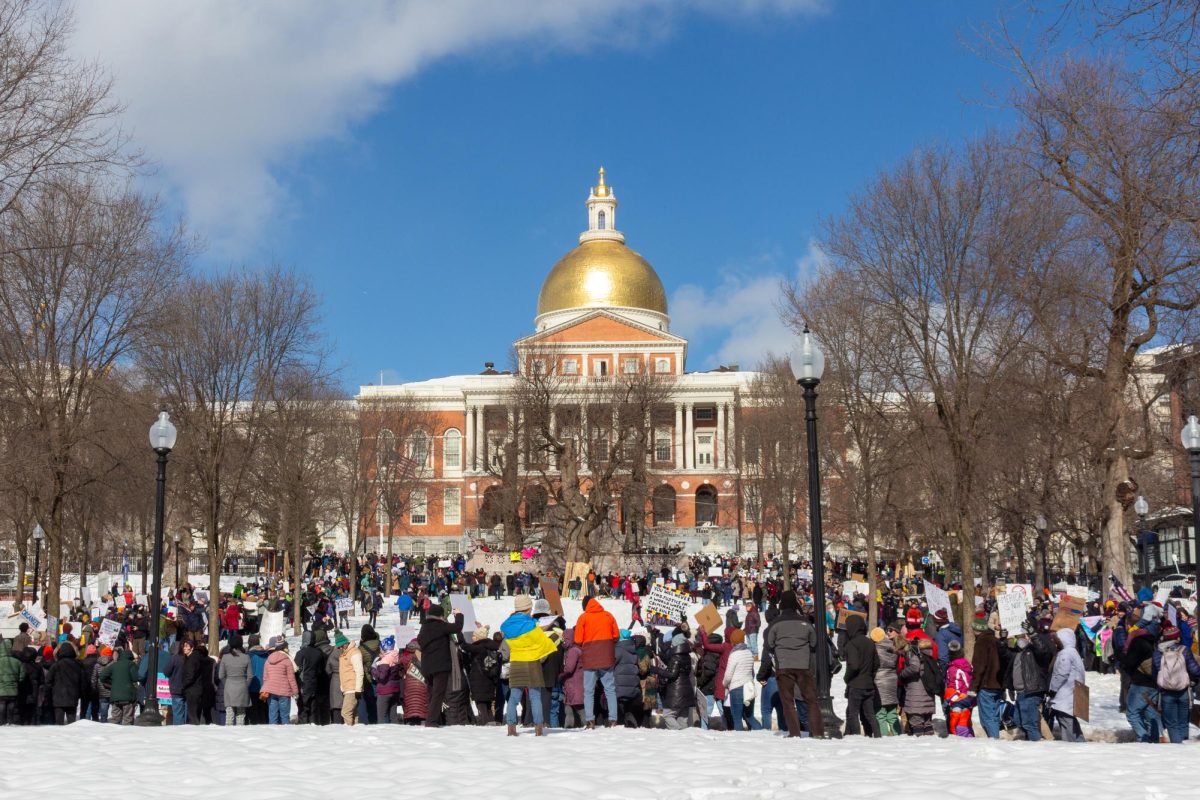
{"type": "Point", "coordinates": [427, 169]}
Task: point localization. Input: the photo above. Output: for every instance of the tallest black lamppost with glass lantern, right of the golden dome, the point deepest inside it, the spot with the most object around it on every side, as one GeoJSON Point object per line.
{"type": "Point", "coordinates": [808, 364]}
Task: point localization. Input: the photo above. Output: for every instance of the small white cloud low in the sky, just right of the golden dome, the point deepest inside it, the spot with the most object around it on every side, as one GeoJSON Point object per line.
{"type": "Point", "coordinates": [739, 321]}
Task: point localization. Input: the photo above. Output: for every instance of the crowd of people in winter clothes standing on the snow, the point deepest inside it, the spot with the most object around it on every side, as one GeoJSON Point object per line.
{"type": "Point", "coordinates": [898, 670]}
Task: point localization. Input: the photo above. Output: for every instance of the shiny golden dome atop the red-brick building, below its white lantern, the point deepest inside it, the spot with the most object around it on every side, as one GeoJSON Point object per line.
{"type": "Point", "coordinates": [603, 273]}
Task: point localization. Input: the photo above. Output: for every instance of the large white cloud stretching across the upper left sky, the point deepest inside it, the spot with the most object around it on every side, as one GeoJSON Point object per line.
{"type": "Point", "coordinates": [225, 95]}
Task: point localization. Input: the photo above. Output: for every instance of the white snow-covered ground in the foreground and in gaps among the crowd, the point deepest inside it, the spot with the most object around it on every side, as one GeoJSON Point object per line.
{"type": "Point", "coordinates": [277, 763]}
